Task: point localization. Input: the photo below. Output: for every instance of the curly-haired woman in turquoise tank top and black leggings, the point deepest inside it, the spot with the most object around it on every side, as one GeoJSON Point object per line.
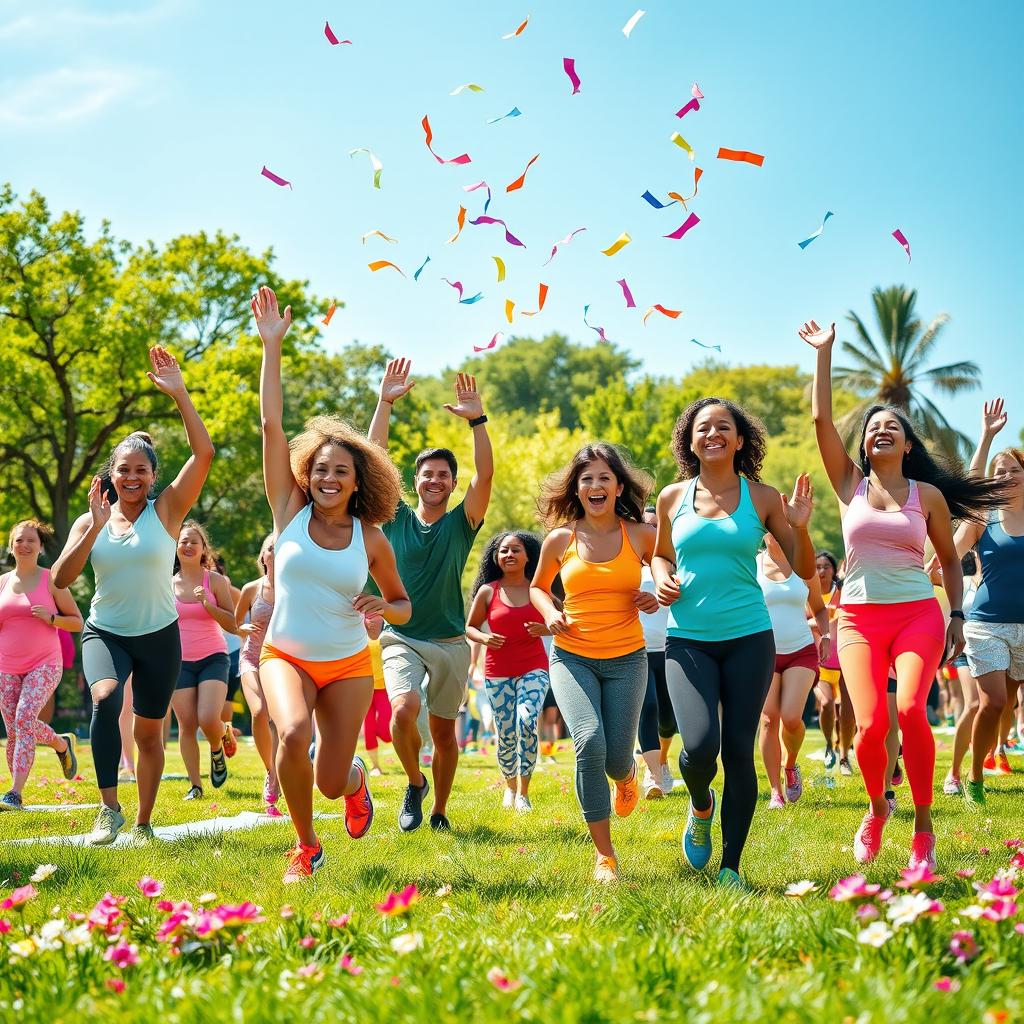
{"type": "Point", "coordinates": [720, 648]}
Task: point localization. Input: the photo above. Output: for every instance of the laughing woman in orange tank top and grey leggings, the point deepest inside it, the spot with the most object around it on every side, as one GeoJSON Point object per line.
{"type": "Point", "coordinates": [599, 542]}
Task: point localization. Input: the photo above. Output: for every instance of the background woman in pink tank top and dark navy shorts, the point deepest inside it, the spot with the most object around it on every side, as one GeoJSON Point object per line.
{"type": "Point", "coordinates": [203, 600]}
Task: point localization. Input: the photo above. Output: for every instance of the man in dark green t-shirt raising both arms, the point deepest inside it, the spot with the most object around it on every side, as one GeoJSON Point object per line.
{"type": "Point", "coordinates": [432, 546]}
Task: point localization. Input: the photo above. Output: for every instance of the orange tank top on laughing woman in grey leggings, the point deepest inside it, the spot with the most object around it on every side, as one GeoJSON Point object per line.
{"type": "Point", "coordinates": [604, 620]}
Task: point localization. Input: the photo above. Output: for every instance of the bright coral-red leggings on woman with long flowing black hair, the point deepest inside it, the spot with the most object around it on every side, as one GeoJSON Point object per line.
{"type": "Point", "coordinates": [910, 636]}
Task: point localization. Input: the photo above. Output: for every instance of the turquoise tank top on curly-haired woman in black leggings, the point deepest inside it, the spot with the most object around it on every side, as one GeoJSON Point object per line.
{"type": "Point", "coordinates": [716, 566]}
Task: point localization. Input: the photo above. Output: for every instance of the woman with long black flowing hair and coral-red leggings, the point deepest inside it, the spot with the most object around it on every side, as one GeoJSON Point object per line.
{"type": "Point", "coordinates": [895, 499]}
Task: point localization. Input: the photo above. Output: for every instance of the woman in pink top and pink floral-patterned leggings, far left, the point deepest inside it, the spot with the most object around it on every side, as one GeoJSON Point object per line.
{"type": "Point", "coordinates": [32, 611]}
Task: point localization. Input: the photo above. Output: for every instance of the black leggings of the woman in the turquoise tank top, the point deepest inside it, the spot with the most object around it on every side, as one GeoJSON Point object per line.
{"type": "Point", "coordinates": [703, 674]}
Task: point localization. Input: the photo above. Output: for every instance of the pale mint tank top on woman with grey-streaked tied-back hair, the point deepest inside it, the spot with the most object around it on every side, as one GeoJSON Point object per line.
{"type": "Point", "coordinates": [134, 594]}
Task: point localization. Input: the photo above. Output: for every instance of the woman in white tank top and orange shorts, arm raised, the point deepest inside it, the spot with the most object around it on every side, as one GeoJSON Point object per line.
{"type": "Point", "coordinates": [329, 490]}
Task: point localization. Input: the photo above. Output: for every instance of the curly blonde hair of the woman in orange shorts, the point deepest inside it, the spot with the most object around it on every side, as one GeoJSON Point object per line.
{"type": "Point", "coordinates": [379, 483]}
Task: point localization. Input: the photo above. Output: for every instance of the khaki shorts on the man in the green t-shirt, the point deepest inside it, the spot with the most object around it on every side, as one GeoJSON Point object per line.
{"type": "Point", "coordinates": [445, 665]}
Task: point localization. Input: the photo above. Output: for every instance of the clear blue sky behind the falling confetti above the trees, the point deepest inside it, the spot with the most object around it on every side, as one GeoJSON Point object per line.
{"type": "Point", "coordinates": [159, 115]}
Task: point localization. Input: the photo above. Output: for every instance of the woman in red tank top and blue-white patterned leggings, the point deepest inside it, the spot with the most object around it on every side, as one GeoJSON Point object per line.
{"type": "Point", "coordinates": [516, 666]}
